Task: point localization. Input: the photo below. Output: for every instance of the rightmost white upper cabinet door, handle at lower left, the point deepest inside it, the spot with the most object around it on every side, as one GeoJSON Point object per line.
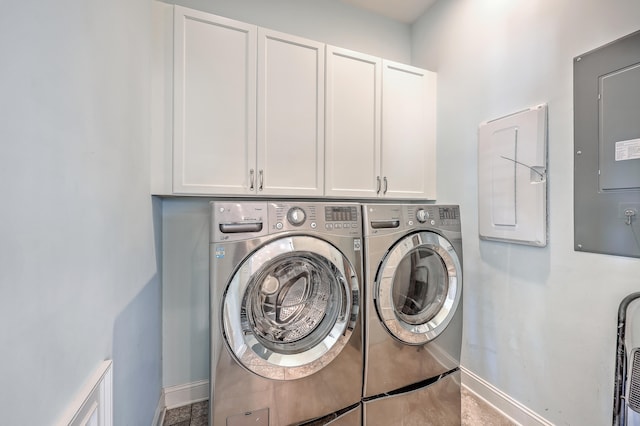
{"type": "Point", "coordinates": [408, 131]}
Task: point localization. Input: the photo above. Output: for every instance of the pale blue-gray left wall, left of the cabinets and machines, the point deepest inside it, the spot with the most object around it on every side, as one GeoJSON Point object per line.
{"type": "Point", "coordinates": [79, 233]}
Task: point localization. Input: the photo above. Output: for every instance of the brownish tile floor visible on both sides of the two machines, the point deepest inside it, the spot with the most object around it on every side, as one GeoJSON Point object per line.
{"type": "Point", "coordinates": [475, 412]}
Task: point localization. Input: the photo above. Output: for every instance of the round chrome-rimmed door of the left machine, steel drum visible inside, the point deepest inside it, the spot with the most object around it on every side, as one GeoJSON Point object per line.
{"type": "Point", "coordinates": [290, 307]}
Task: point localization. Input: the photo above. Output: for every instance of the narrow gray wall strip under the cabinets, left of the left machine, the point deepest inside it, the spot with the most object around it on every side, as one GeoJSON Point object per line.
{"type": "Point", "coordinates": [185, 290]}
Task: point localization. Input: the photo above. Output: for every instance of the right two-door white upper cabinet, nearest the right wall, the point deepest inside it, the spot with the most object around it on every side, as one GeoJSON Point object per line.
{"type": "Point", "coordinates": [380, 134]}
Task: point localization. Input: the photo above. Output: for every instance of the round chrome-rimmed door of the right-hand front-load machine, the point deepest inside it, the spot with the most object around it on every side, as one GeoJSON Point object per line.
{"type": "Point", "coordinates": [418, 287]}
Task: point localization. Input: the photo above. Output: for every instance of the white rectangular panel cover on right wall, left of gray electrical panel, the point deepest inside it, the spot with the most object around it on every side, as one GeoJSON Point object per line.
{"type": "Point", "coordinates": [512, 178]}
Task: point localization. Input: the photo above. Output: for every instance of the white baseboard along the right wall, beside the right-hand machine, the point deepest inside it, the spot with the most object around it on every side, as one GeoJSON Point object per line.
{"type": "Point", "coordinates": [502, 402]}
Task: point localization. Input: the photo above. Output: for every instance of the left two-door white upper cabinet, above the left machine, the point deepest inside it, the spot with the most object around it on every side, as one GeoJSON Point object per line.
{"type": "Point", "coordinates": [248, 110]}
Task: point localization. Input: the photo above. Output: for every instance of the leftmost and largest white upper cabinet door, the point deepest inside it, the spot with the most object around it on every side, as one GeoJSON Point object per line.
{"type": "Point", "coordinates": [214, 139]}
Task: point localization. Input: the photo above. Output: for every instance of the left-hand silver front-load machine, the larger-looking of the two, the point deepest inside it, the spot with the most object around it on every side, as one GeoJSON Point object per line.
{"type": "Point", "coordinates": [286, 340]}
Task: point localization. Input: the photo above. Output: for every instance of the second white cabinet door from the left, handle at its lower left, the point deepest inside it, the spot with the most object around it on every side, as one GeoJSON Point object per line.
{"type": "Point", "coordinates": [290, 115]}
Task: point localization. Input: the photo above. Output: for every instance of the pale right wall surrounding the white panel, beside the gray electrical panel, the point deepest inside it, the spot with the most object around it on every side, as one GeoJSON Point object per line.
{"type": "Point", "coordinates": [540, 323]}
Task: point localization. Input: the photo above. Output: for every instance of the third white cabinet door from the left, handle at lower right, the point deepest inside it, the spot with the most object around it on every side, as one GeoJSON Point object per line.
{"type": "Point", "coordinates": [352, 162]}
